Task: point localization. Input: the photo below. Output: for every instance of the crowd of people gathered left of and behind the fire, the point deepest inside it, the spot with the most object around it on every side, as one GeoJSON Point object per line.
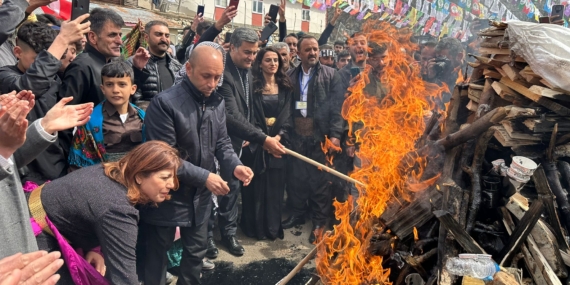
{"type": "Point", "coordinates": [103, 159]}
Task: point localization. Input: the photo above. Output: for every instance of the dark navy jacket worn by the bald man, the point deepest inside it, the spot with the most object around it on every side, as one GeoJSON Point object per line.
{"type": "Point", "coordinates": [182, 117]}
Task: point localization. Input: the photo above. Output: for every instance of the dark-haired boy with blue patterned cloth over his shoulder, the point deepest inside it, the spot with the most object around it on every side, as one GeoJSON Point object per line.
{"type": "Point", "coordinates": [116, 125]}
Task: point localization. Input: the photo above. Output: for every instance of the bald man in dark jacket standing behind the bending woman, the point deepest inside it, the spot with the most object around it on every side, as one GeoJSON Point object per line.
{"type": "Point", "coordinates": [191, 117]}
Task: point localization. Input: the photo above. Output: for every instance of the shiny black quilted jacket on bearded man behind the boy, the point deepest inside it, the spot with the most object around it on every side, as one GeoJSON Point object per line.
{"type": "Point", "coordinates": [150, 85]}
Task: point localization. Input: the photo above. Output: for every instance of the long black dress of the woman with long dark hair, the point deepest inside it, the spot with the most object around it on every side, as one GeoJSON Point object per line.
{"type": "Point", "coordinates": [262, 200]}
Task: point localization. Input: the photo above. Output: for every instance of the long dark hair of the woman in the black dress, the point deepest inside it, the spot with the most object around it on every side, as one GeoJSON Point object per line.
{"type": "Point", "coordinates": [281, 77]}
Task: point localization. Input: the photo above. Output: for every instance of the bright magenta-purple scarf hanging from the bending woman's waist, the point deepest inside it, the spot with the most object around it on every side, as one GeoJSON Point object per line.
{"type": "Point", "coordinates": [82, 272]}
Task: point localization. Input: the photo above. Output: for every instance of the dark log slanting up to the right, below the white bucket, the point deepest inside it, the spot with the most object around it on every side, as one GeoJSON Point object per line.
{"type": "Point", "coordinates": [521, 232]}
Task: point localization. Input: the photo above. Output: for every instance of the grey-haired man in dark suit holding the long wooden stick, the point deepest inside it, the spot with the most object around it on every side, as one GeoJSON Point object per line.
{"type": "Point", "coordinates": [237, 92]}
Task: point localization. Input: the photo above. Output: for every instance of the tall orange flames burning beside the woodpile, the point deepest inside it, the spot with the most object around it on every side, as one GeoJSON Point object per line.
{"type": "Point", "coordinates": [391, 128]}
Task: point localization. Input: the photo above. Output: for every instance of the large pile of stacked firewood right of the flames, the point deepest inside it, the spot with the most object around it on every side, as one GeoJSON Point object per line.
{"type": "Point", "coordinates": [505, 110]}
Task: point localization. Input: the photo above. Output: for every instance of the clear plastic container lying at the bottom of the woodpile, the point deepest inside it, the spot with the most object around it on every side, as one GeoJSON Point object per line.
{"type": "Point", "coordinates": [480, 268]}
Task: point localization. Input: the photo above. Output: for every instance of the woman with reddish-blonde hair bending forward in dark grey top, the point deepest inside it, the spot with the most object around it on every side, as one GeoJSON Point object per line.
{"type": "Point", "coordinates": [96, 206]}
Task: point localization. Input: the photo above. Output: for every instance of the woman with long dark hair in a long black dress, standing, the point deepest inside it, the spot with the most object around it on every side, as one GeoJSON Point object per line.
{"type": "Point", "coordinates": [262, 200]}
